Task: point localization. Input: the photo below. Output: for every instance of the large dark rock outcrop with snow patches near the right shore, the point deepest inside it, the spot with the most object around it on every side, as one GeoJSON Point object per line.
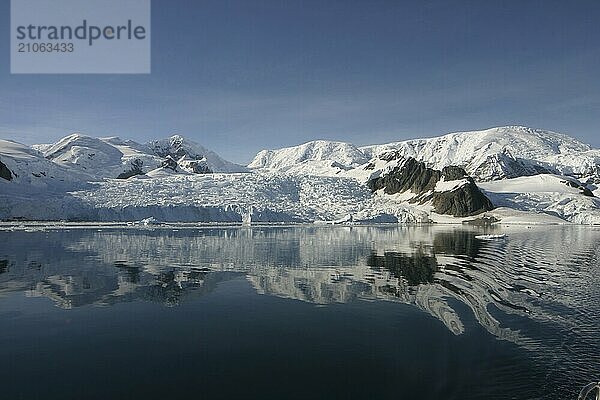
{"type": "Point", "coordinates": [451, 191]}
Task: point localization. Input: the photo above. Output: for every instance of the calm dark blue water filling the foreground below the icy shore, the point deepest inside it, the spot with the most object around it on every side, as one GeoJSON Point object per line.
{"type": "Point", "coordinates": [299, 312]}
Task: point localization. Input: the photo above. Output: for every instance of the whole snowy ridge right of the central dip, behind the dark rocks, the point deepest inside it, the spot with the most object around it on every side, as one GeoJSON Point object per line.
{"type": "Point", "coordinates": [491, 154]}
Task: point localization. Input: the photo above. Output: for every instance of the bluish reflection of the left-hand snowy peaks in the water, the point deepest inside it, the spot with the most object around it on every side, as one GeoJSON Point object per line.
{"type": "Point", "coordinates": [77, 277]}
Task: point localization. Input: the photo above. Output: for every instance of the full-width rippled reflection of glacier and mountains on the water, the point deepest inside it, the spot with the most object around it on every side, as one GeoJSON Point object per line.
{"type": "Point", "coordinates": [537, 288]}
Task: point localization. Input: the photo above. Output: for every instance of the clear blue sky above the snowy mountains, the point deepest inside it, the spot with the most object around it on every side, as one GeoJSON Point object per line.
{"type": "Point", "coordinates": [238, 76]}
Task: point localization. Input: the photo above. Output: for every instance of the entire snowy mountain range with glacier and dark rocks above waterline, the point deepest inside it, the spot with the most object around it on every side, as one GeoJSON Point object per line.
{"type": "Point", "coordinates": [511, 174]}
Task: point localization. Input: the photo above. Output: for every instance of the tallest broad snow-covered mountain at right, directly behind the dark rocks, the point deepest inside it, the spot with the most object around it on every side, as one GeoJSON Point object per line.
{"type": "Point", "coordinates": [499, 153]}
